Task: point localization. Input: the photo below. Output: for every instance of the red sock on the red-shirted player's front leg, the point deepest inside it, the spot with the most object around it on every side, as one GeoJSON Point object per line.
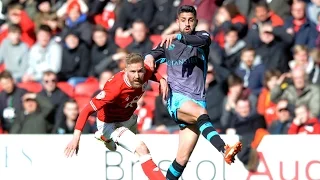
{"type": "Point", "coordinates": [151, 170]}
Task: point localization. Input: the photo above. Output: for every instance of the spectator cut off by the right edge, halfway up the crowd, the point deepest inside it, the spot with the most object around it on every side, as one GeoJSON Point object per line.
{"type": "Point", "coordinates": [314, 75]}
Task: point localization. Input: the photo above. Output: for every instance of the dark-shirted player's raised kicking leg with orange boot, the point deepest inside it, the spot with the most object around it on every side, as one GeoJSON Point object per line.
{"type": "Point", "coordinates": [192, 113]}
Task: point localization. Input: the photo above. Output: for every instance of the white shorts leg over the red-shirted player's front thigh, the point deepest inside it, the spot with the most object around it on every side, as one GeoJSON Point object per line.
{"type": "Point", "coordinates": [126, 139]}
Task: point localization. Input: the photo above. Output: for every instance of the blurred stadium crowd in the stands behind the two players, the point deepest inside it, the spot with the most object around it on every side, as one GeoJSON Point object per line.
{"type": "Point", "coordinates": [263, 75]}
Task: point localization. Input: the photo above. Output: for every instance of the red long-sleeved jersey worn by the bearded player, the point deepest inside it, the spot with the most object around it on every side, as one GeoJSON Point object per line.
{"type": "Point", "coordinates": [117, 101]}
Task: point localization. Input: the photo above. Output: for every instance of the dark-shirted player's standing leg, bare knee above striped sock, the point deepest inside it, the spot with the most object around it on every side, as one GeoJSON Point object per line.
{"type": "Point", "coordinates": [188, 138]}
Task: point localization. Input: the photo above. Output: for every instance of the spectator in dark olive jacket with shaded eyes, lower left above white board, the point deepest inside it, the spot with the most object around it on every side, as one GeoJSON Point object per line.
{"type": "Point", "coordinates": [33, 118]}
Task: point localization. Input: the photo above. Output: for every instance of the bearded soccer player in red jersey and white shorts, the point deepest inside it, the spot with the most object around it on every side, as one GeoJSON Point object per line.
{"type": "Point", "coordinates": [115, 106]}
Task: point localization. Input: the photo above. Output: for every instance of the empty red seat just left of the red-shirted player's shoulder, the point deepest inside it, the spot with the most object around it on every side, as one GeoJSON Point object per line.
{"type": "Point", "coordinates": [86, 89]}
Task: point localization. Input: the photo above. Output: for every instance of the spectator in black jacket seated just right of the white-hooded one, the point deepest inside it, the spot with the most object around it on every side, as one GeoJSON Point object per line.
{"type": "Point", "coordinates": [75, 60]}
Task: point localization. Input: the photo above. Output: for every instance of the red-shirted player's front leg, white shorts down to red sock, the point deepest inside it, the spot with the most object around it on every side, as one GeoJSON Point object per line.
{"type": "Point", "coordinates": [128, 140]}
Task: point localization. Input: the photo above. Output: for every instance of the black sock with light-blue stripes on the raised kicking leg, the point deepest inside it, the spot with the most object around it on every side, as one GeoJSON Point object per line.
{"type": "Point", "coordinates": [207, 130]}
